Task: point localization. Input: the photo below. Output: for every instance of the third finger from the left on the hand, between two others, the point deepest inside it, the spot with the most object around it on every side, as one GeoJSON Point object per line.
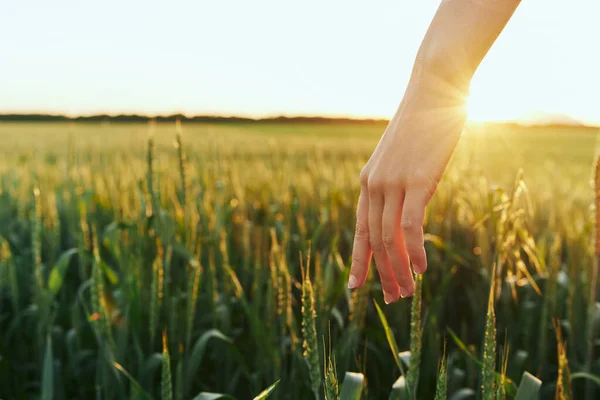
{"type": "Point", "coordinates": [393, 240]}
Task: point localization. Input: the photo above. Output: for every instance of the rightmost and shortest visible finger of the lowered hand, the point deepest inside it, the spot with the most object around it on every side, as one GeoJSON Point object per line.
{"type": "Point", "coordinates": [413, 215]}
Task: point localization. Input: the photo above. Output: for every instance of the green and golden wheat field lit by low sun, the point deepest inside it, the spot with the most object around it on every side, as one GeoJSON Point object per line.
{"type": "Point", "coordinates": [137, 262]}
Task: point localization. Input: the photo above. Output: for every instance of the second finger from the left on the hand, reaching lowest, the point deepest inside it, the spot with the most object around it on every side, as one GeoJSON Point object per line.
{"type": "Point", "coordinates": [391, 290]}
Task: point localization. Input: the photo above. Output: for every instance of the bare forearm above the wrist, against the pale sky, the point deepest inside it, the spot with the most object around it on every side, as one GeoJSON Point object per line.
{"type": "Point", "coordinates": [458, 38]}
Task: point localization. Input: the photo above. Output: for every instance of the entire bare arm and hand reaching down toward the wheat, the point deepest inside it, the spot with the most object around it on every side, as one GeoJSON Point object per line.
{"type": "Point", "coordinates": [403, 172]}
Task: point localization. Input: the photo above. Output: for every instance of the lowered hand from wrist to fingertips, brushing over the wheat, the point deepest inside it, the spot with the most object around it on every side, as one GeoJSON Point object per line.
{"type": "Point", "coordinates": [397, 183]}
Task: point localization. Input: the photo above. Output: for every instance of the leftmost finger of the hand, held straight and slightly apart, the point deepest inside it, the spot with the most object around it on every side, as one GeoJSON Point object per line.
{"type": "Point", "coordinates": [361, 250]}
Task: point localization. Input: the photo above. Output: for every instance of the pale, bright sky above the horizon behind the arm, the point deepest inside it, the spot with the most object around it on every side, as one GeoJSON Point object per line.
{"type": "Point", "coordinates": [278, 57]}
